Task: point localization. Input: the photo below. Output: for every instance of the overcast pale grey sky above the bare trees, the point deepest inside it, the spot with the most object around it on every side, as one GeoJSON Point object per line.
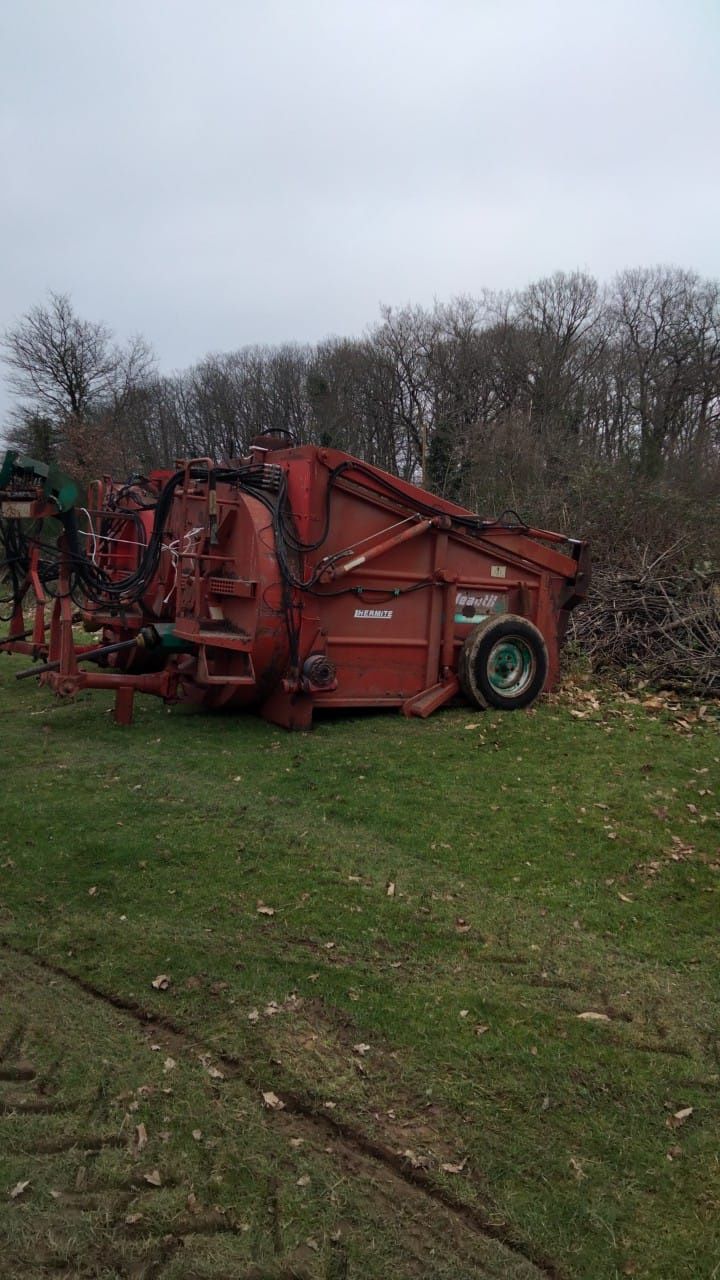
{"type": "Point", "coordinates": [213, 173]}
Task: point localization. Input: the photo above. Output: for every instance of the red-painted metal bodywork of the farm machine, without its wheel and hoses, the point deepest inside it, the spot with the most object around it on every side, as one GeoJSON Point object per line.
{"type": "Point", "coordinates": [380, 628]}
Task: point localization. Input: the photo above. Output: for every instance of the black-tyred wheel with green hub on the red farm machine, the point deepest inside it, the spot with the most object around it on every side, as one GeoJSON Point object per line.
{"type": "Point", "coordinates": [503, 664]}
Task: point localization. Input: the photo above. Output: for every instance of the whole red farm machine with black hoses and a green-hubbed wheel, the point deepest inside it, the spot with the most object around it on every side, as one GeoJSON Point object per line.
{"type": "Point", "coordinates": [289, 580]}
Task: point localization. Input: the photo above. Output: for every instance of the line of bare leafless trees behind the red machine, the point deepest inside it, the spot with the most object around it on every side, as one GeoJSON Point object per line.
{"type": "Point", "coordinates": [591, 408]}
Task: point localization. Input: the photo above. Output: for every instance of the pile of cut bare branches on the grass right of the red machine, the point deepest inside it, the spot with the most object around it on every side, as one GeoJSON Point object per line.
{"type": "Point", "coordinates": [654, 624]}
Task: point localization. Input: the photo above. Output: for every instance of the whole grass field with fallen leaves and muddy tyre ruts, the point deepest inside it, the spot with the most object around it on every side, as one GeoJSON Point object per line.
{"type": "Point", "coordinates": [370, 1054]}
